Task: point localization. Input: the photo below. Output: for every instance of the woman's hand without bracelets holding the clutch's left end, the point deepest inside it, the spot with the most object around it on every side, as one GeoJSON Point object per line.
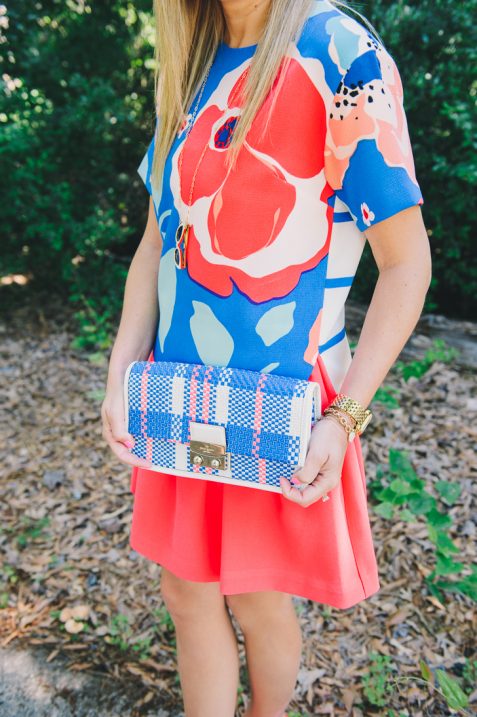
{"type": "Point", "coordinates": [114, 427]}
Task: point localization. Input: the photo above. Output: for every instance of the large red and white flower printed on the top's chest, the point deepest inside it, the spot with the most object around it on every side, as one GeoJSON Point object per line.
{"type": "Point", "coordinates": [248, 227]}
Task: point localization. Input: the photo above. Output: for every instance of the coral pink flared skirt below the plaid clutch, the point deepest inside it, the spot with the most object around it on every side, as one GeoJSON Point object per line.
{"type": "Point", "coordinates": [247, 539]}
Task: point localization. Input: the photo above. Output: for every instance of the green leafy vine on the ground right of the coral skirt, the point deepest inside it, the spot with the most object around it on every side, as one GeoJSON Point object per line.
{"type": "Point", "coordinates": [401, 495]}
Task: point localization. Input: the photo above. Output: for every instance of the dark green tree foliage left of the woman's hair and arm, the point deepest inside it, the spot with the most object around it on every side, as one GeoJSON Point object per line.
{"type": "Point", "coordinates": [77, 114]}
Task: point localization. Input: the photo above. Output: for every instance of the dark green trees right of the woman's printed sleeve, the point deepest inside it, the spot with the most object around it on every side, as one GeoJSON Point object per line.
{"type": "Point", "coordinates": [434, 44]}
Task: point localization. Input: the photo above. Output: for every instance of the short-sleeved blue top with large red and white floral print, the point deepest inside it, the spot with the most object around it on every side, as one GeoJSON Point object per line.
{"type": "Point", "coordinates": [274, 244]}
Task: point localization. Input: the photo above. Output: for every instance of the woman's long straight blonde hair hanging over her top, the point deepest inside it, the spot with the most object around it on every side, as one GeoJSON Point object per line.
{"type": "Point", "coordinates": [188, 33]}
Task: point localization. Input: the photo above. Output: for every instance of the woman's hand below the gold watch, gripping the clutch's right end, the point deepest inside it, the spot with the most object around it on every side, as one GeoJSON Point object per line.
{"type": "Point", "coordinates": [323, 464]}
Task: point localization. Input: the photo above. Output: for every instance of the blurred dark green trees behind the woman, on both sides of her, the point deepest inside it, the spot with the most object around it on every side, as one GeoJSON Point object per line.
{"type": "Point", "coordinates": [76, 116]}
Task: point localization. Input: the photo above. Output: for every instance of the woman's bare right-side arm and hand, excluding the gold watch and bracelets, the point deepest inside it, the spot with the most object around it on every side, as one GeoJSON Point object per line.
{"type": "Point", "coordinates": [400, 246]}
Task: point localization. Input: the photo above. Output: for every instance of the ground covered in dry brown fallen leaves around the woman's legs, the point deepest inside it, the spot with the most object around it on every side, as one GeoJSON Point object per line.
{"type": "Point", "coordinates": [71, 584]}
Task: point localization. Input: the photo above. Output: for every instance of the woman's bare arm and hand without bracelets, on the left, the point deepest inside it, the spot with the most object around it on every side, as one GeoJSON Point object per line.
{"type": "Point", "coordinates": [135, 335]}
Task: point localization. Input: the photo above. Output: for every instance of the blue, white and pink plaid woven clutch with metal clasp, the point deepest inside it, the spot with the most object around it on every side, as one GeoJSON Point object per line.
{"type": "Point", "coordinates": [219, 423]}
